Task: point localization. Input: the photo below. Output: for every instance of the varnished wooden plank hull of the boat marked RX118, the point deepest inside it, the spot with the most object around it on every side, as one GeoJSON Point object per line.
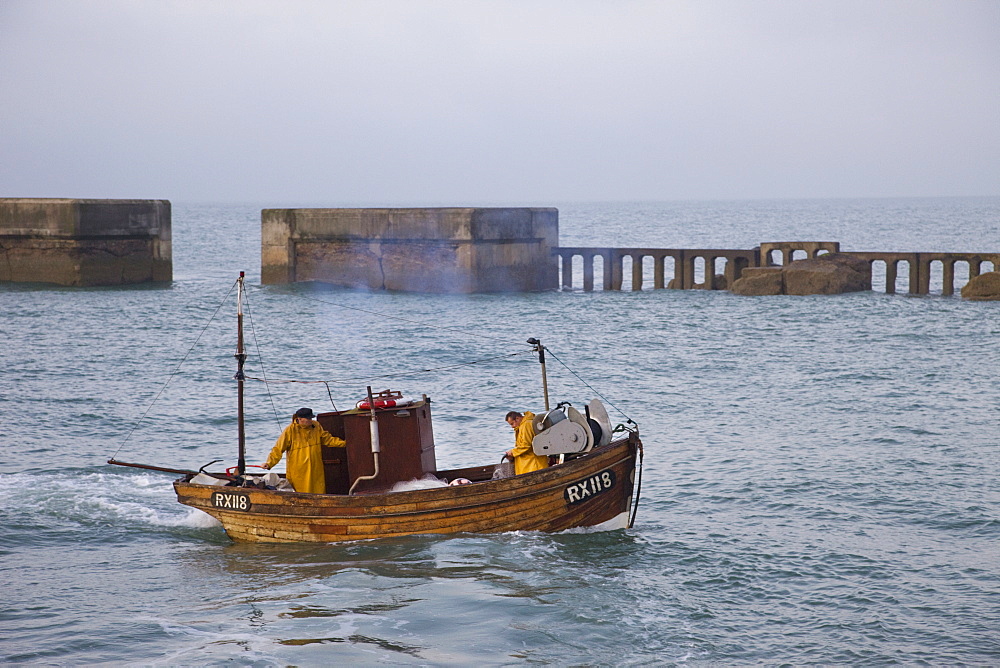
{"type": "Point", "coordinates": [593, 490]}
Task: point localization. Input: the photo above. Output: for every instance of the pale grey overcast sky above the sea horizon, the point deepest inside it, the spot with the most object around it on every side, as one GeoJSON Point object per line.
{"type": "Point", "coordinates": [465, 102]}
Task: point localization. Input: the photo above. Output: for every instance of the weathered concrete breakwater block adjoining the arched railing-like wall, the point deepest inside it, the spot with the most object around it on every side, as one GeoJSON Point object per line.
{"type": "Point", "coordinates": [416, 250]}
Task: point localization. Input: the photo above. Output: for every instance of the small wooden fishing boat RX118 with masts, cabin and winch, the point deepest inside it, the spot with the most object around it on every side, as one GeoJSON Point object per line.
{"type": "Point", "coordinates": [593, 479]}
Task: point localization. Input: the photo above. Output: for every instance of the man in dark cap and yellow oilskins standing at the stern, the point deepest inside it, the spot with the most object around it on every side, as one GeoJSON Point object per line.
{"type": "Point", "coordinates": [302, 440]}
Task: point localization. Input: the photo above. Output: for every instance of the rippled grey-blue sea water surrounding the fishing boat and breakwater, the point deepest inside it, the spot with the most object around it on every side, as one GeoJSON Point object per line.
{"type": "Point", "coordinates": [821, 481]}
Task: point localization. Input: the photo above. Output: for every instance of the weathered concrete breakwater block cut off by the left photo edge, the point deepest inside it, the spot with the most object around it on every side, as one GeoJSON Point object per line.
{"type": "Point", "coordinates": [85, 242]}
